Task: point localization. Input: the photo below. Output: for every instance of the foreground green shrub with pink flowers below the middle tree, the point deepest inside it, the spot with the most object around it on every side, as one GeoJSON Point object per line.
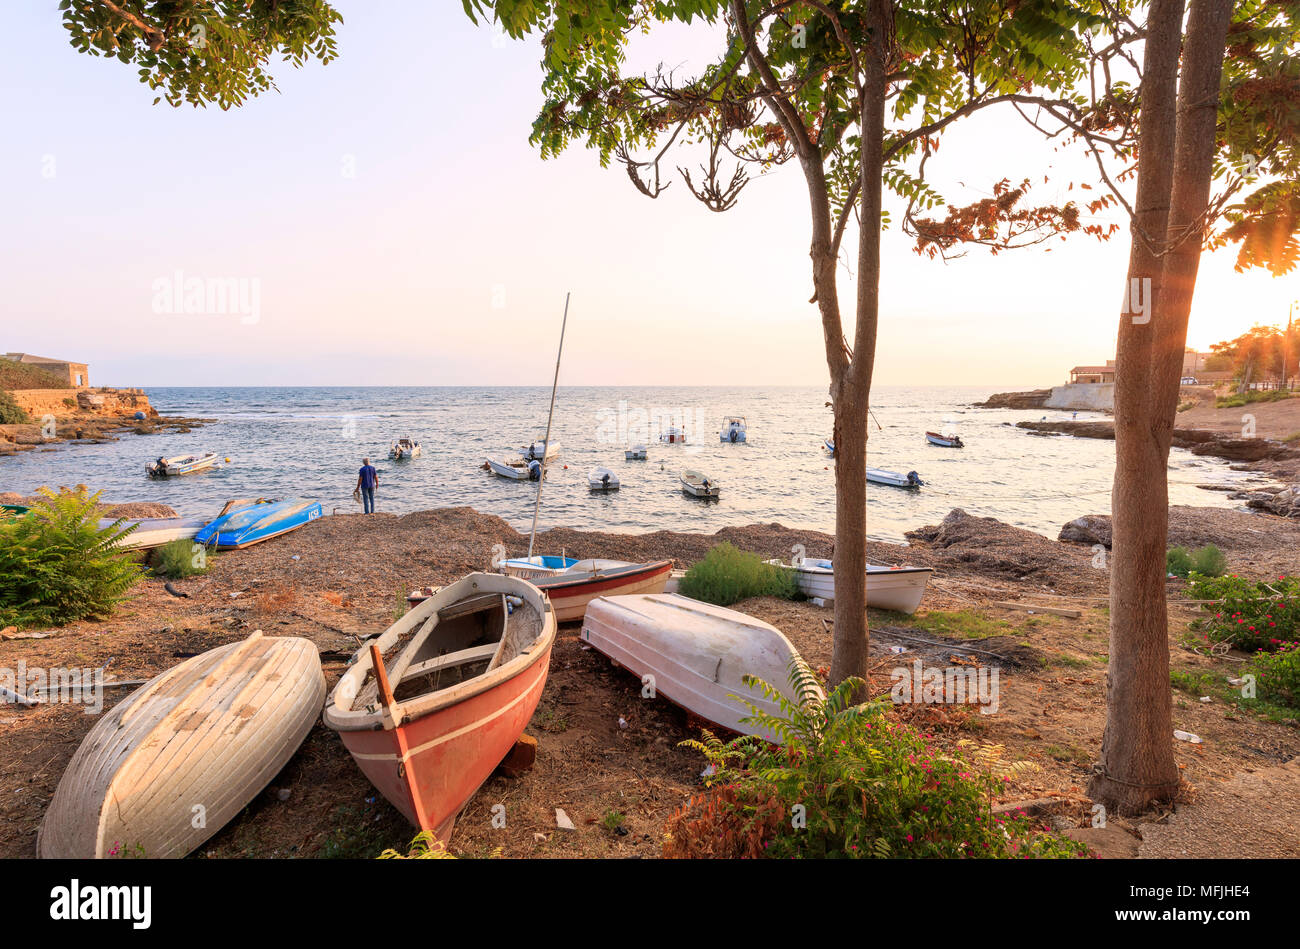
{"type": "Point", "coordinates": [847, 783]}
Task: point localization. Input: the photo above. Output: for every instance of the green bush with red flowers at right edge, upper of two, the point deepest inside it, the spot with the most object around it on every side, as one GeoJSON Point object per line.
{"type": "Point", "coordinates": [1250, 616]}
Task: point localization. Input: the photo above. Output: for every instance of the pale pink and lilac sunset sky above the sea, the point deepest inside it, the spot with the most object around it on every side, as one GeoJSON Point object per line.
{"type": "Point", "coordinates": [383, 220]}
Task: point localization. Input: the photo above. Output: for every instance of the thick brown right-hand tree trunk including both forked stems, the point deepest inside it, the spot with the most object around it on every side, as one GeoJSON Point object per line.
{"type": "Point", "coordinates": [1176, 151]}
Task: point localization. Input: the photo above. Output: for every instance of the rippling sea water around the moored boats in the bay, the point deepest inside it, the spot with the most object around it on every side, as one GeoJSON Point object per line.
{"type": "Point", "coordinates": [285, 441]}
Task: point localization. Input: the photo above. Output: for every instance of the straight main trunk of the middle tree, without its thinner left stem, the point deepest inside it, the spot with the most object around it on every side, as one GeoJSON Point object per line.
{"type": "Point", "coordinates": [853, 396]}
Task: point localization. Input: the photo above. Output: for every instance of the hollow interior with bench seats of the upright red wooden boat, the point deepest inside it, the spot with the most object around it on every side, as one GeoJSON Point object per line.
{"type": "Point", "coordinates": [461, 642]}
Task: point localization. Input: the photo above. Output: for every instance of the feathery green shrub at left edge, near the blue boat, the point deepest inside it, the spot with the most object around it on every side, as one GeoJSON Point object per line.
{"type": "Point", "coordinates": [58, 565]}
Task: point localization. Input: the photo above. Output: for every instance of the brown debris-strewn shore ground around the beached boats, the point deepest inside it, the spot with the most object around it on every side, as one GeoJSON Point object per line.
{"type": "Point", "coordinates": [352, 574]}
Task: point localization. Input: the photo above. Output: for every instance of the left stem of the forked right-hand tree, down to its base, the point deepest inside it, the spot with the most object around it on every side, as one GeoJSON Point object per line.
{"type": "Point", "coordinates": [1137, 749]}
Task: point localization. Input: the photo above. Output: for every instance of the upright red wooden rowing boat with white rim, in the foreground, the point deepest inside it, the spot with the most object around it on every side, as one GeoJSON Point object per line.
{"type": "Point", "coordinates": [432, 721]}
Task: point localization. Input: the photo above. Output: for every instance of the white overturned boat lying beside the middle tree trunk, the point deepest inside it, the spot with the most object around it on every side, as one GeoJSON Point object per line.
{"type": "Point", "coordinates": [696, 653]}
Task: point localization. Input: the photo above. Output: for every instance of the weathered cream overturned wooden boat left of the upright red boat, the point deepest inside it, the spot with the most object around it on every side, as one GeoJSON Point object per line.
{"type": "Point", "coordinates": [176, 761]}
